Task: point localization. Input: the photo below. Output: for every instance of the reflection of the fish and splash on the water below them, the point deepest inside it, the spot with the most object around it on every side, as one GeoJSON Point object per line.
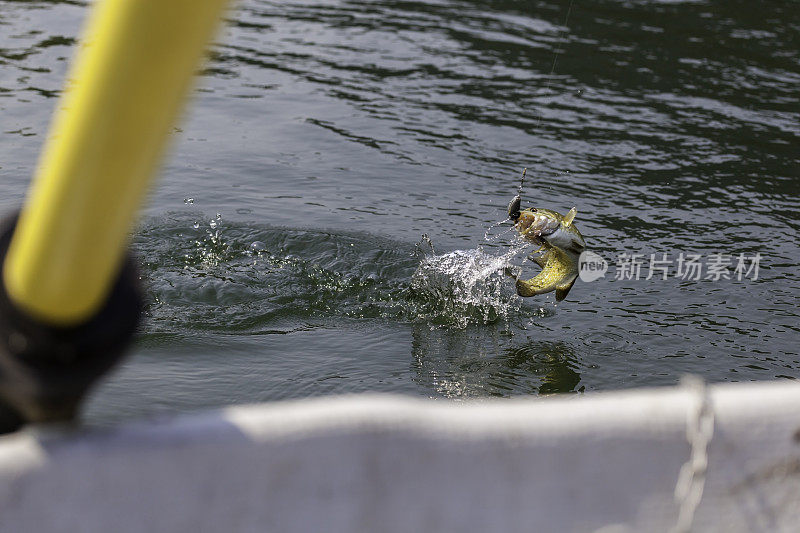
{"type": "Point", "coordinates": [490, 361]}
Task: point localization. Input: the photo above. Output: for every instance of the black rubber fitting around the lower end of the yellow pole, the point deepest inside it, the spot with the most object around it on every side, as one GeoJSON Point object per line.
{"type": "Point", "coordinates": [45, 370]}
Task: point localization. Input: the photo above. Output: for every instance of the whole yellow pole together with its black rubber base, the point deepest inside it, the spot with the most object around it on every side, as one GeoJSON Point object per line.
{"type": "Point", "coordinates": [69, 300]}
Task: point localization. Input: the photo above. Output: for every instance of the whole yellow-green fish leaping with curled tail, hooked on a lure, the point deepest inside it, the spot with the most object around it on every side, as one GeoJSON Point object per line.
{"type": "Point", "coordinates": [560, 244]}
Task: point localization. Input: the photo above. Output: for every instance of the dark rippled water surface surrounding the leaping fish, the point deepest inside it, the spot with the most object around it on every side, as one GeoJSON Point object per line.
{"type": "Point", "coordinates": [333, 134]}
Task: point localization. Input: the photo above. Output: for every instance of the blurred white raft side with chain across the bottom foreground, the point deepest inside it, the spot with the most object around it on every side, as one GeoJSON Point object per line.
{"type": "Point", "coordinates": [606, 462]}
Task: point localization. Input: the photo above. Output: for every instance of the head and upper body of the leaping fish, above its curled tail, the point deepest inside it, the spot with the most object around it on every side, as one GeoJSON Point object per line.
{"type": "Point", "coordinates": [546, 227]}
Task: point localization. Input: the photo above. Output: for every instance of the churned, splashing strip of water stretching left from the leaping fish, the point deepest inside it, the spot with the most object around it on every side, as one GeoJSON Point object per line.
{"type": "Point", "coordinates": [248, 277]}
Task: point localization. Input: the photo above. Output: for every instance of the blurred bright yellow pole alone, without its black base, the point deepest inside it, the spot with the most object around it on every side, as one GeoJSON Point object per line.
{"type": "Point", "coordinates": [132, 71]}
